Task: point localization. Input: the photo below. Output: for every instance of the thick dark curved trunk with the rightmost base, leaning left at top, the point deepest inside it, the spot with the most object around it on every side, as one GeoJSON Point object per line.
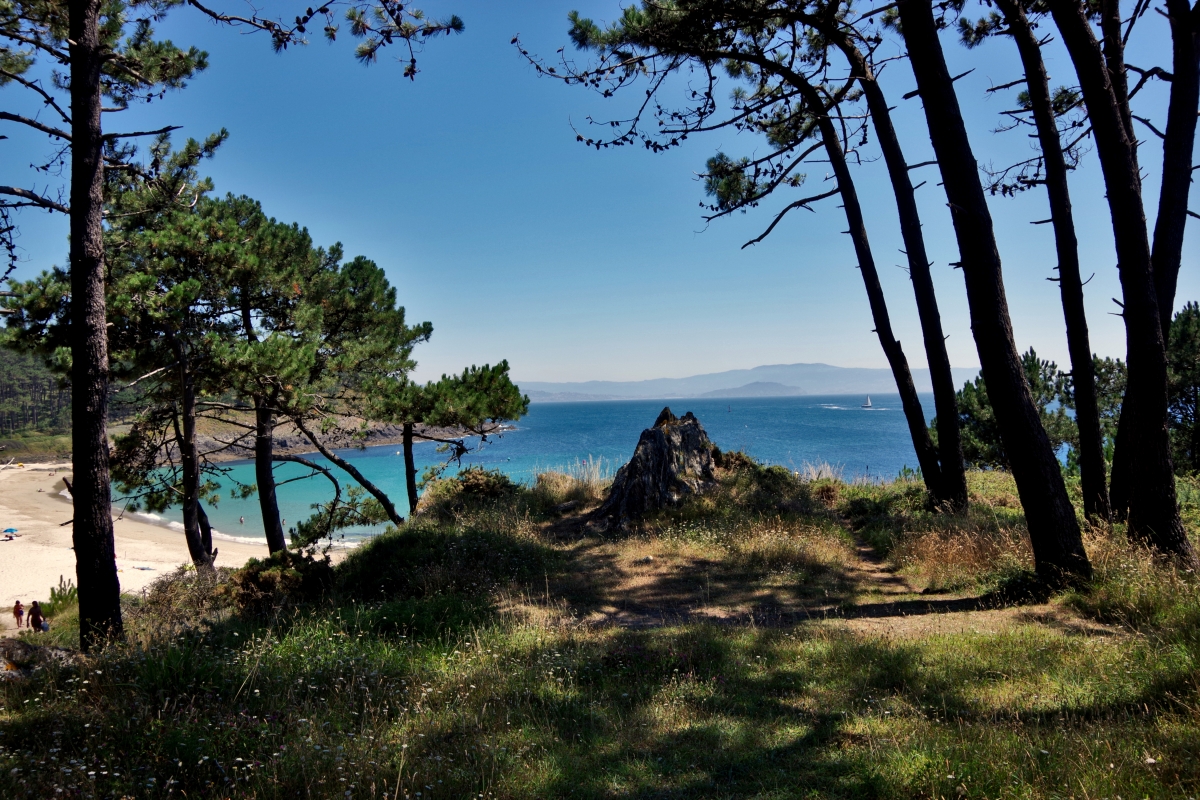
{"type": "Point", "coordinates": [1154, 510]}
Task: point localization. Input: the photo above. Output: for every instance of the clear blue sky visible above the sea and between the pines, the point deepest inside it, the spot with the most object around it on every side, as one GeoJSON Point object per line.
{"type": "Point", "coordinates": [518, 243]}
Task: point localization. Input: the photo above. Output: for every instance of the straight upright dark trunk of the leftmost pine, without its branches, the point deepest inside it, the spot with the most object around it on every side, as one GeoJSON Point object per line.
{"type": "Point", "coordinates": [100, 591]}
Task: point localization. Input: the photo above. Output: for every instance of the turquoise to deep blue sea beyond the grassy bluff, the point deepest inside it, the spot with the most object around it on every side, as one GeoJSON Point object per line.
{"type": "Point", "coordinates": [789, 431]}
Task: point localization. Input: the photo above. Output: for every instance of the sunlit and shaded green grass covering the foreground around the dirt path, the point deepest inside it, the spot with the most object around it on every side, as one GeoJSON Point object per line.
{"type": "Point", "coordinates": [415, 678]}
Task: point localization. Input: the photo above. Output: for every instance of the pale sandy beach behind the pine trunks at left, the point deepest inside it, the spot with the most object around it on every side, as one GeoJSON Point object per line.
{"type": "Point", "coordinates": [32, 502]}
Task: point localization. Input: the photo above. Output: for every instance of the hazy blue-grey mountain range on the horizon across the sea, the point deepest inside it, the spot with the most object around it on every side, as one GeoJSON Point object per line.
{"type": "Point", "coordinates": [772, 381]}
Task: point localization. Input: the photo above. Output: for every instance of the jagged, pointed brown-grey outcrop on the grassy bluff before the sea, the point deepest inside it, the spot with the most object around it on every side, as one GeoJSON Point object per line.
{"type": "Point", "coordinates": [674, 460]}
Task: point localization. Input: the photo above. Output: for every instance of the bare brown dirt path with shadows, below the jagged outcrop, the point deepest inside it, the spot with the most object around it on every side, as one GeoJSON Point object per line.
{"type": "Point", "coordinates": [645, 584]}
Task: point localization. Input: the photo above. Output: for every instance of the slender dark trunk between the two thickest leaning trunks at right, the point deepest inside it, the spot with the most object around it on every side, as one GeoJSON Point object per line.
{"type": "Point", "coordinates": [1093, 467]}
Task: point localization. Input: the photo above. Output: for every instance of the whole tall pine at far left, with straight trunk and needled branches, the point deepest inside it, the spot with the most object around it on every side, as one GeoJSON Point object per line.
{"type": "Point", "coordinates": [110, 55]}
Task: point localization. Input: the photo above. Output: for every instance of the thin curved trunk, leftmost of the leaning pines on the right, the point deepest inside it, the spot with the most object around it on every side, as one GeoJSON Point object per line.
{"type": "Point", "coordinates": [927, 455]}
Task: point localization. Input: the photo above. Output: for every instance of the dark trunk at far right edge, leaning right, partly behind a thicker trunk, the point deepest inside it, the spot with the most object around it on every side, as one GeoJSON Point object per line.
{"type": "Point", "coordinates": [1178, 145]}
